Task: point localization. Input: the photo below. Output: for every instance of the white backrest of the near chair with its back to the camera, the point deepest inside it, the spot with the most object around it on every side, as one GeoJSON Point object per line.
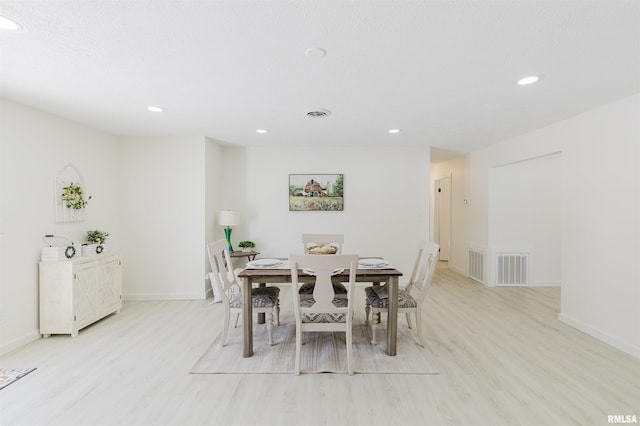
{"type": "Point", "coordinates": [323, 268]}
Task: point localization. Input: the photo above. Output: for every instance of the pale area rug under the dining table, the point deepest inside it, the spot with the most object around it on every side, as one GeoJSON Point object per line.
{"type": "Point", "coordinates": [321, 352]}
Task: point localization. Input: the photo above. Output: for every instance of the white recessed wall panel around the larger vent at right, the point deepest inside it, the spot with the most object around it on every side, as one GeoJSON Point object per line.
{"type": "Point", "coordinates": [525, 215]}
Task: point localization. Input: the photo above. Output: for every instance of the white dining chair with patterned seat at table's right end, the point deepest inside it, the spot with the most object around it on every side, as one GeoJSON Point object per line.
{"type": "Point", "coordinates": [377, 300]}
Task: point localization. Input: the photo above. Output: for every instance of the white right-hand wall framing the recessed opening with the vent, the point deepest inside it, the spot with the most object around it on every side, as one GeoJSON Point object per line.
{"type": "Point", "coordinates": [600, 209]}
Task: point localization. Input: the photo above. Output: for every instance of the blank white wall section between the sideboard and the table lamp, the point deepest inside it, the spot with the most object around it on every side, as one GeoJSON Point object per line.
{"type": "Point", "coordinates": [162, 210]}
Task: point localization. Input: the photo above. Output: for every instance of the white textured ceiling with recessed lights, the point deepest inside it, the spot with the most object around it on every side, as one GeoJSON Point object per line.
{"type": "Point", "coordinates": [444, 72]}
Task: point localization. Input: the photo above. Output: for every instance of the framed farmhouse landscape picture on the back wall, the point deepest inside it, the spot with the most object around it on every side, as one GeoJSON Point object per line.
{"type": "Point", "coordinates": [316, 192]}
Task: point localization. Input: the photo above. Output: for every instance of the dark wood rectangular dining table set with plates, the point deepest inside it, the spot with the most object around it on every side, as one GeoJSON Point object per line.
{"type": "Point", "coordinates": [281, 274]}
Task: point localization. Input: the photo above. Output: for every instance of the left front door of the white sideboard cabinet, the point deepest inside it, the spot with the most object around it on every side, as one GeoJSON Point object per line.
{"type": "Point", "coordinates": [85, 282]}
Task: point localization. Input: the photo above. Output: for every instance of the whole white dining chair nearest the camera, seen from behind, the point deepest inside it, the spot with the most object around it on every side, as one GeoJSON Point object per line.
{"type": "Point", "coordinates": [324, 311]}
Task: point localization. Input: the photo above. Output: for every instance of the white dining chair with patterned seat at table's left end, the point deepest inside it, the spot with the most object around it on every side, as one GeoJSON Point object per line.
{"type": "Point", "coordinates": [264, 299]}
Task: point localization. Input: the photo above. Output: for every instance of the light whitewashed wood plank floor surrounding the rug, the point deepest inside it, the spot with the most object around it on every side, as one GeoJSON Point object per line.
{"type": "Point", "coordinates": [503, 358]}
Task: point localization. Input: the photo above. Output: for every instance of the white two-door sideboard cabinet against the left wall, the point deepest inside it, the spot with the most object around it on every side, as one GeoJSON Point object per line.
{"type": "Point", "coordinates": [77, 292]}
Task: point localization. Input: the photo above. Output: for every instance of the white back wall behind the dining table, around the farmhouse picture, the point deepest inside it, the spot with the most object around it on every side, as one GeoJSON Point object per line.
{"type": "Point", "coordinates": [386, 199]}
